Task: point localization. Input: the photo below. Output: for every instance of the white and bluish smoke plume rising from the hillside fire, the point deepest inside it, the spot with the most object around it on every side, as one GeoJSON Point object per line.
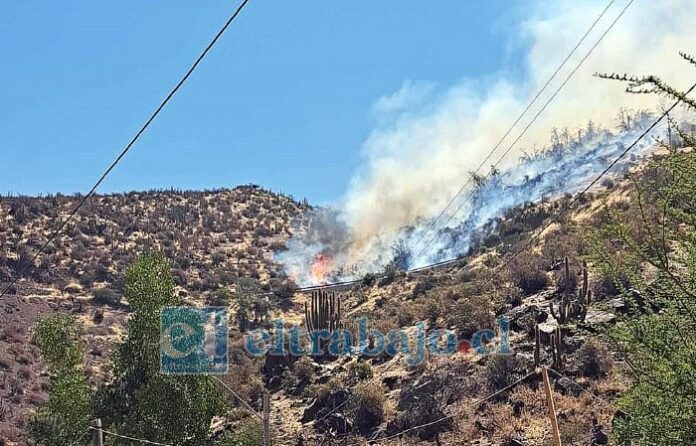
{"type": "Point", "coordinates": [427, 139]}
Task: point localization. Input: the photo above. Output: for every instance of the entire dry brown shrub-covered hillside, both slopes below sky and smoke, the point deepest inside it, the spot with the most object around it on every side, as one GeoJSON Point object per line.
{"type": "Point", "coordinates": [213, 238]}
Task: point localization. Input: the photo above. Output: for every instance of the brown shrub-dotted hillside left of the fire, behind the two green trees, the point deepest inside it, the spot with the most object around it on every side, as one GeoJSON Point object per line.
{"type": "Point", "coordinates": [211, 237]}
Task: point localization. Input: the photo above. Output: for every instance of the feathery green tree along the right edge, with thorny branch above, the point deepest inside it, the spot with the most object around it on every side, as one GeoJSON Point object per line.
{"type": "Point", "coordinates": [648, 248]}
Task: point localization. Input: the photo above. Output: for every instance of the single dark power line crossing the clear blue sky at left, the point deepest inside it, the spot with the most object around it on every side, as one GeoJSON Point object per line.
{"type": "Point", "coordinates": [128, 146]}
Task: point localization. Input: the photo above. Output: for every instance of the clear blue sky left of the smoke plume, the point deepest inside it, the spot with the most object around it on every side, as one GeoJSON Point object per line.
{"type": "Point", "coordinates": [283, 100]}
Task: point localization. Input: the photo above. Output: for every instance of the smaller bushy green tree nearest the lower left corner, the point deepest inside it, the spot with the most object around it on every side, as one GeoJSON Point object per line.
{"type": "Point", "coordinates": [66, 417]}
